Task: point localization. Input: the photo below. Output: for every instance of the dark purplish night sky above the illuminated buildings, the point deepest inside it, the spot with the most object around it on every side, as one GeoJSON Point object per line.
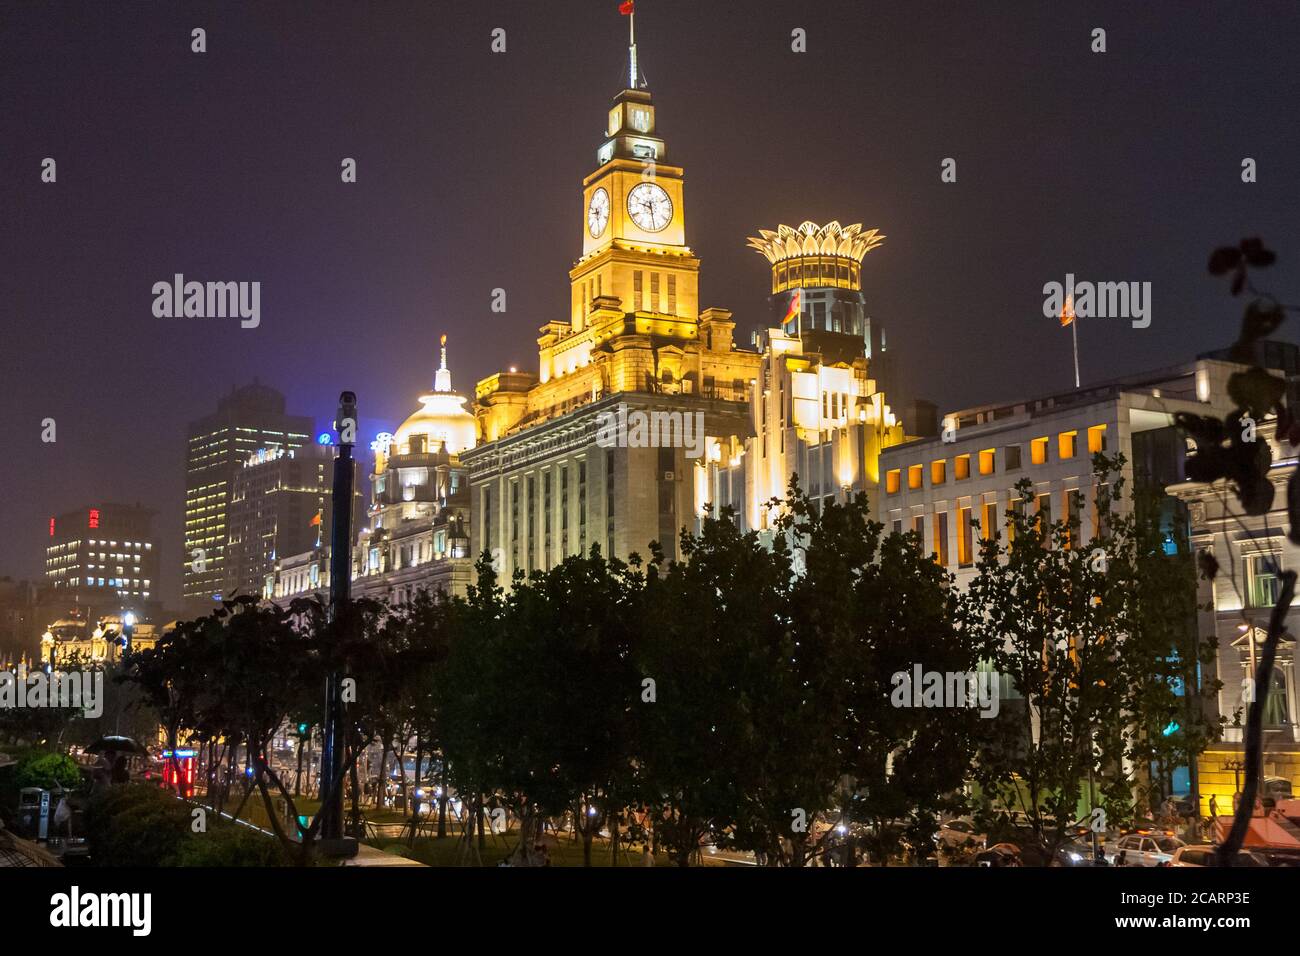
{"type": "Point", "coordinates": [226, 166]}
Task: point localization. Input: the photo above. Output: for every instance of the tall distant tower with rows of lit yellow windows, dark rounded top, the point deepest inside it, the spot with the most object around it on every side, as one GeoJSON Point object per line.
{"type": "Point", "coordinates": [219, 447]}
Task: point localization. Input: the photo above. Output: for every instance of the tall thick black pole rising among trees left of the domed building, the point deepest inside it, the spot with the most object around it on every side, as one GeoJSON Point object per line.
{"type": "Point", "coordinates": [340, 598]}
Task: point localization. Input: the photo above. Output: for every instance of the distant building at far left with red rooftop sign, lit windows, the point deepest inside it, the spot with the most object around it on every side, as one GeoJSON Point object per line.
{"type": "Point", "coordinates": [103, 559]}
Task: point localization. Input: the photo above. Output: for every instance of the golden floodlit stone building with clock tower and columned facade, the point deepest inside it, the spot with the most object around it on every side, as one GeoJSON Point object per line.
{"type": "Point", "coordinates": [566, 462]}
